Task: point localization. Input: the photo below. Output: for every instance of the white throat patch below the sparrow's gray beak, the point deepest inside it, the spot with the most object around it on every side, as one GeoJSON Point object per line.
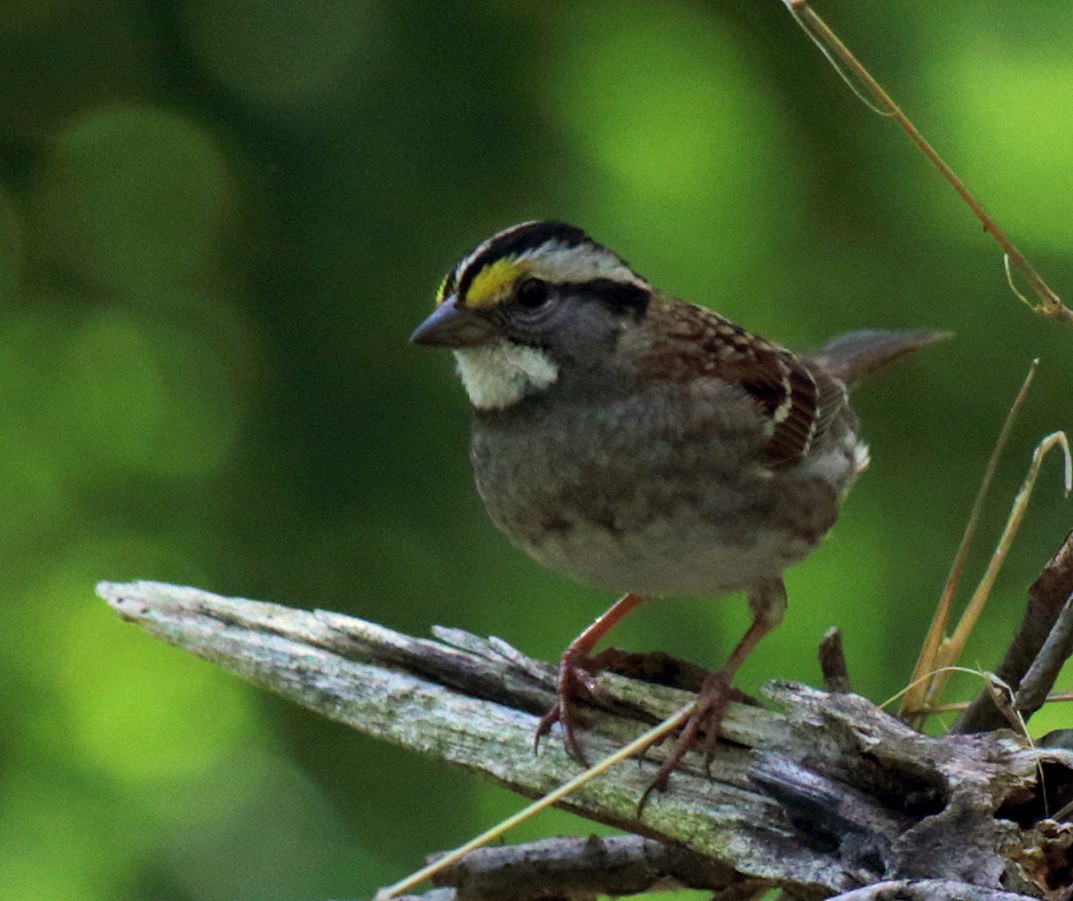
{"type": "Point", "coordinates": [499, 375]}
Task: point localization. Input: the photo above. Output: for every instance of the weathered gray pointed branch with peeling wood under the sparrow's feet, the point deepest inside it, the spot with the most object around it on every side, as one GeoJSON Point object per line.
{"type": "Point", "coordinates": [821, 796]}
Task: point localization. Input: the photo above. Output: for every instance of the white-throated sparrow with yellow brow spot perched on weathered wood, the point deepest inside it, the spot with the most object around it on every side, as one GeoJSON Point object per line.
{"type": "Point", "coordinates": [644, 445]}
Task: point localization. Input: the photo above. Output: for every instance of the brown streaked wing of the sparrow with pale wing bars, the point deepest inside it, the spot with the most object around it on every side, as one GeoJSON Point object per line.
{"type": "Point", "coordinates": [800, 401]}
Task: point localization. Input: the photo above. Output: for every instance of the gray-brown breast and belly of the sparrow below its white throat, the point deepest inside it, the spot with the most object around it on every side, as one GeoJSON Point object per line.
{"type": "Point", "coordinates": [660, 514]}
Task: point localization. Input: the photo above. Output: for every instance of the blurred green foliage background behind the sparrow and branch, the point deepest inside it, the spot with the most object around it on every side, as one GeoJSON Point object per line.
{"type": "Point", "coordinates": [219, 221]}
